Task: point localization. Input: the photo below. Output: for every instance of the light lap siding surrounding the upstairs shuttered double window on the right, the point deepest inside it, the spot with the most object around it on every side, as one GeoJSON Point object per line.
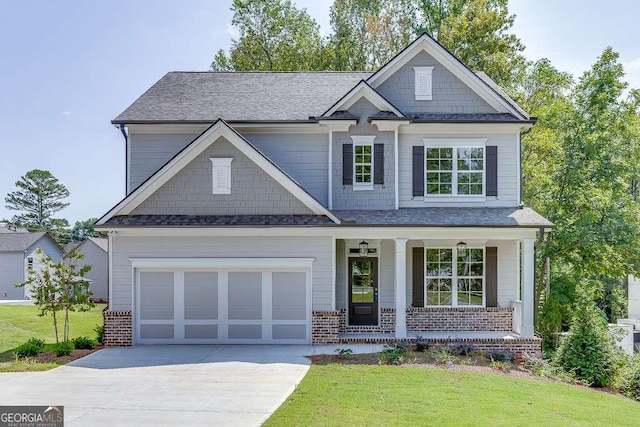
{"type": "Point", "coordinates": [507, 170]}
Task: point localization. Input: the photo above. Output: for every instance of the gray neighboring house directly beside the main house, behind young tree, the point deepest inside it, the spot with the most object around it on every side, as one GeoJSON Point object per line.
{"type": "Point", "coordinates": [96, 254]}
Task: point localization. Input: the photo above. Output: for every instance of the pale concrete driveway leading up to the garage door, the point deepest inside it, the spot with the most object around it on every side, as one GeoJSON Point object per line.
{"type": "Point", "coordinates": [165, 385]}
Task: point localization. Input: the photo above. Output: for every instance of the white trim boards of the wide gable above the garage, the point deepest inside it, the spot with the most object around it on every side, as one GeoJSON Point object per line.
{"type": "Point", "coordinates": [218, 130]}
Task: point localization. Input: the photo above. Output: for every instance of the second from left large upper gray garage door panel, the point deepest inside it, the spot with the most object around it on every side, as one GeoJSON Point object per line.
{"type": "Point", "coordinates": [201, 295]}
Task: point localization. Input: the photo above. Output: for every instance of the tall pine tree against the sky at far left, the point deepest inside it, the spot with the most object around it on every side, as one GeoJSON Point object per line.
{"type": "Point", "coordinates": [38, 197]}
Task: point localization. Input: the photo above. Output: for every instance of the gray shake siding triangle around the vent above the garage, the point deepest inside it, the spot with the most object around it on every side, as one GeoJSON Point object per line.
{"type": "Point", "coordinates": [253, 191]}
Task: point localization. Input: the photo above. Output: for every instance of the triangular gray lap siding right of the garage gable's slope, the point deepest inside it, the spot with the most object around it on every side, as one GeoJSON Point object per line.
{"type": "Point", "coordinates": [303, 156]}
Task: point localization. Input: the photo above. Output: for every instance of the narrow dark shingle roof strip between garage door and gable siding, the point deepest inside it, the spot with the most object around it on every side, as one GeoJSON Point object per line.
{"type": "Point", "coordinates": [217, 220]}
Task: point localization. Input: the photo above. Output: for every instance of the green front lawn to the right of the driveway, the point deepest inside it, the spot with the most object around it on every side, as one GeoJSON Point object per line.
{"type": "Point", "coordinates": [336, 395]}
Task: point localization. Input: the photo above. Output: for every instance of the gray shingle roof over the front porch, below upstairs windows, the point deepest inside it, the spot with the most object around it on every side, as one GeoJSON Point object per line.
{"type": "Point", "coordinates": [447, 217]}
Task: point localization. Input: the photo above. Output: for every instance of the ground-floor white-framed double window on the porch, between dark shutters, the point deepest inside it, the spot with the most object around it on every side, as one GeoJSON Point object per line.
{"type": "Point", "coordinates": [454, 277]}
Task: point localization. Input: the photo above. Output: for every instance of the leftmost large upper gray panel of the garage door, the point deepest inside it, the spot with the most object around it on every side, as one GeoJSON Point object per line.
{"type": "Point", "coordinates": [157, 296]}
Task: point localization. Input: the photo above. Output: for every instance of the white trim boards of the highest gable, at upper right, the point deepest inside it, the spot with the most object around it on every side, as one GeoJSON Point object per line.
{"type": "Point", "coordinates": [498, 100]}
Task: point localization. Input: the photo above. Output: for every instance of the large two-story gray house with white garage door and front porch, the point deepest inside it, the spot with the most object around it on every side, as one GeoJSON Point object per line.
{"type": "Point", "coordinates": [324, 207]}
